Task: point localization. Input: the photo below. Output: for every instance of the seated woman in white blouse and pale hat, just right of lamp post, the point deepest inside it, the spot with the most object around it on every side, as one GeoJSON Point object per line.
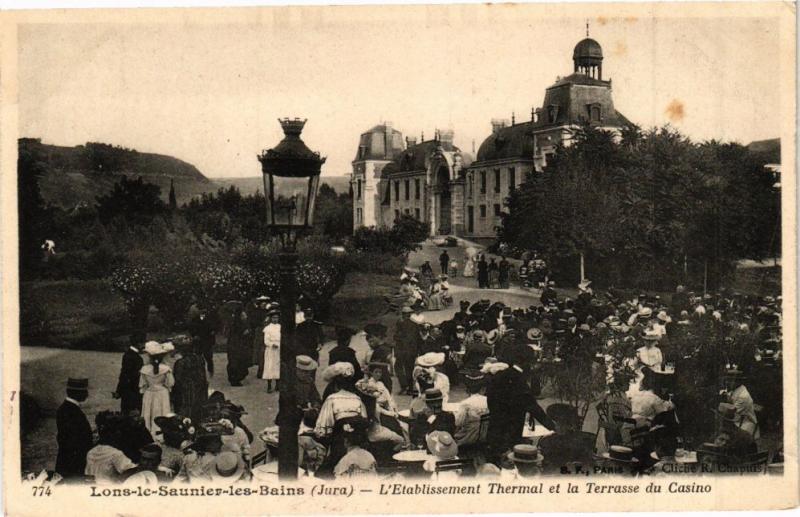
{"type": "Point", "coordinates": [342, 403]}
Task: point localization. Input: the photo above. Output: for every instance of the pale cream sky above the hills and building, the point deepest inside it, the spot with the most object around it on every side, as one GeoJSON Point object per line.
{"type": "Point", "coordinates": [211, 93]}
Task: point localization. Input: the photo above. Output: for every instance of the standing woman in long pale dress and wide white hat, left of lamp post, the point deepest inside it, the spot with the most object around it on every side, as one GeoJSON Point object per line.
{"type": "Point", "coordinates": [155, 383]}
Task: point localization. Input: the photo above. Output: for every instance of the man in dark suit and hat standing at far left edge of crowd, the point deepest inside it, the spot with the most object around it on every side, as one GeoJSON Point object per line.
{"type": "Point", "coordinates": [74, 435]}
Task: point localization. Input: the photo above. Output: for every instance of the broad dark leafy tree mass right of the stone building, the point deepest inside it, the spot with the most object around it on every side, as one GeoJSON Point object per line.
{"type": "Point", "coordinates": [645, 208]}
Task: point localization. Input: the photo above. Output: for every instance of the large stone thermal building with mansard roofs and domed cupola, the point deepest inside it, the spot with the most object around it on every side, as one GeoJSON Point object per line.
{"type": "Point", "coordinates": [436, 182]}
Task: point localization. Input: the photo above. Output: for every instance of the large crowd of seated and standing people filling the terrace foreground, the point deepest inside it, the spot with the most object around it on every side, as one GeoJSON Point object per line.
{"type": "Point", "coordinates": [677, 375]}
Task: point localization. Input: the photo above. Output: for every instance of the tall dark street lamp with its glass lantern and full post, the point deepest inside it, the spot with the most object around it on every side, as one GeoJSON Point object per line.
{"type": "Point", "coordinates": [291, 177]}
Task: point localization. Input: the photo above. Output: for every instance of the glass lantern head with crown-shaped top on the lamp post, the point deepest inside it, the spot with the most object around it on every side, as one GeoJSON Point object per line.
{"type": "Point", "coordinates": [291, 177]}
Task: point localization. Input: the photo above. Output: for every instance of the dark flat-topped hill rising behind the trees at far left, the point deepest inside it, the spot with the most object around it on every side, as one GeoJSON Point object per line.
{"type": "Point", "coordinates": [77, 175]}
